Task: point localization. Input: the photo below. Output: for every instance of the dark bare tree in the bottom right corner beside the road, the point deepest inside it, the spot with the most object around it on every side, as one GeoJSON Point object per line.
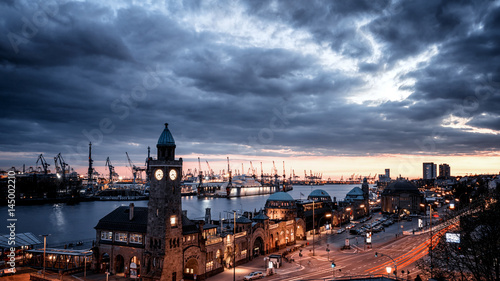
{"type": "Point", "coordinates": [477, 256]}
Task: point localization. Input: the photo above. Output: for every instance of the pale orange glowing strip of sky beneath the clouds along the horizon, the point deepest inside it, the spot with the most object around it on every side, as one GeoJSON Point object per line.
{"type": "Point", "coordinates": [335, 167]}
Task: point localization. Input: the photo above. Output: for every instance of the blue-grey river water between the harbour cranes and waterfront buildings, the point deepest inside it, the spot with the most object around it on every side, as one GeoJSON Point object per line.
{"type": "Point", "coordinates": [70, 223]}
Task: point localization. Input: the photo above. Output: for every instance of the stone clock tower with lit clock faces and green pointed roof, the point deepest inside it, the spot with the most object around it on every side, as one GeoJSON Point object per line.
{"type": "Point", "coordinates": [163, 253]}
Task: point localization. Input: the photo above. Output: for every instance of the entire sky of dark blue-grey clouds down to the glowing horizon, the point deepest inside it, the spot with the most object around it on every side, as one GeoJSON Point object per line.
{"type": "Point", "coordinates": [339, 87]}
